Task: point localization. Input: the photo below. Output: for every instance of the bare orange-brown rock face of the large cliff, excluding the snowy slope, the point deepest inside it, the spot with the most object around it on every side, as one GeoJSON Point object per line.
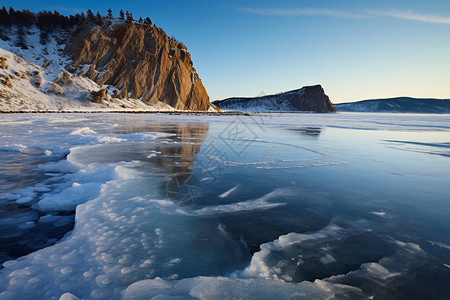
{"type": "Point", "coordinates": [139, 60]}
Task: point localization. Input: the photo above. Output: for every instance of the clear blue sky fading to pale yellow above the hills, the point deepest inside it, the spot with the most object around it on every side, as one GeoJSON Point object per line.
{"type": "Point", "coordinates": [356, 49]}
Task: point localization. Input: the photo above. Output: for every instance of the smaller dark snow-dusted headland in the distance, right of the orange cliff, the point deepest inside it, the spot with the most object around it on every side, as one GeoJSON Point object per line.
{"type": "Point", "coordinates": [308, 98]}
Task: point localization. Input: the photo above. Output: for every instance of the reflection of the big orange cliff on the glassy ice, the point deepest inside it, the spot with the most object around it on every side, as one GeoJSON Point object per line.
{"type": "Point", "coordinates": [174, 154]}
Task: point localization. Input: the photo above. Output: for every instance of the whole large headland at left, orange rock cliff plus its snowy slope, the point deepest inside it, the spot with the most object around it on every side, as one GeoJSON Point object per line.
{"type": "Point", "coordinates": [93, 65]}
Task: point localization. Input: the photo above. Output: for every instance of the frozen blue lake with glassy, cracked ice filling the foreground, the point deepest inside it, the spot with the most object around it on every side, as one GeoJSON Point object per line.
{"type": "Point", "coordinates": [270, 206]}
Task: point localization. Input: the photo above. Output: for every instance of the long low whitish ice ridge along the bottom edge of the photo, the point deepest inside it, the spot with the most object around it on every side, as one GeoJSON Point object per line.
{"type": "Point", "coordinates": [226, 288]}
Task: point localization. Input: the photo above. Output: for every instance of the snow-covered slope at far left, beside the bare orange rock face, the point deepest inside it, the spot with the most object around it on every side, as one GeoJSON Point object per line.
{"type": "Point", "coordinates": [26, 85]}
